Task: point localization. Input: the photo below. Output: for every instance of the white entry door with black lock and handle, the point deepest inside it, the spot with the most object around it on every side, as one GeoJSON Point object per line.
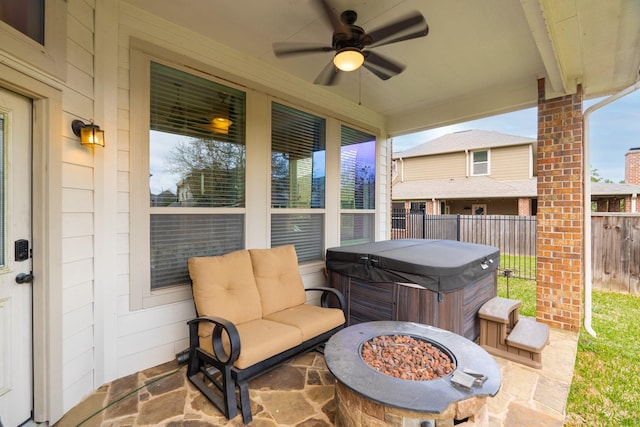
{"type": "Point", "coordinates": [16, 395]}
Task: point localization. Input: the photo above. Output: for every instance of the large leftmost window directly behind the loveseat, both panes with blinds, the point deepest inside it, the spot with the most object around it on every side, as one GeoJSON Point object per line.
{"type": "Point", "coordinates": [194, 168]}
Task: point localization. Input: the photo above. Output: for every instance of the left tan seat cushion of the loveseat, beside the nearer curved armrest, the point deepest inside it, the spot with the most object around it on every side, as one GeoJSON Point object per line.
{"type": "Point", "coordinates": [260, 339]}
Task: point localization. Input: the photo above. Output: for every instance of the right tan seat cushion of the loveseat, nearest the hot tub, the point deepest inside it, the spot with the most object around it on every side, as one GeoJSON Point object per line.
{"type": "Point", "coordinates": [310, 319]}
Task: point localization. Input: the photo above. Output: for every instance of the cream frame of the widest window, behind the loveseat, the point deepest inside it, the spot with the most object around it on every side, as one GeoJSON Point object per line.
{"type": "Point", "coordinates": [141, 295]}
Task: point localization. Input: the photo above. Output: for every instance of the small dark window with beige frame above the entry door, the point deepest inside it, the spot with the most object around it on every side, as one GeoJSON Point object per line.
{"type": "Point", "coordinates": [35, 31]}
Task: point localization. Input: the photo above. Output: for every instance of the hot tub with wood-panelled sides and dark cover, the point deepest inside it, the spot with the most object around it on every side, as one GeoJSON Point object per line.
{"type": "Point", "coordinates": [454, 309]}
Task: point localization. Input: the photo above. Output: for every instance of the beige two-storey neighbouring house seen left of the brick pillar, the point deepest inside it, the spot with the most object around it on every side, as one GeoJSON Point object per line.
{"type": "Point", "coordinates": [470, 172]}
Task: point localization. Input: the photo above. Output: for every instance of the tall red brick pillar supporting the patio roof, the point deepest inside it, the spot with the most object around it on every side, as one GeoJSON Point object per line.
{"type": "Point", "coordinates": [560, 210]}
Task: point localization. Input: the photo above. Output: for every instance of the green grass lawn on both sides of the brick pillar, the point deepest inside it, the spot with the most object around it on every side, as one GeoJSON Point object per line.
{"type": "Point", "coordinates": [605, 390]}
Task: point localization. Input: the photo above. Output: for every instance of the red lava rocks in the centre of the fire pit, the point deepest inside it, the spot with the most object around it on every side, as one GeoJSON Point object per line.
{"type": "Point", "coordinates": [406, 357]}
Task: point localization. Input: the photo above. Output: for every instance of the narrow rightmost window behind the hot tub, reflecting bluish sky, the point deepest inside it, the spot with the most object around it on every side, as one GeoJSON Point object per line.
{"type": "Point", "coordinates": [357, 186]}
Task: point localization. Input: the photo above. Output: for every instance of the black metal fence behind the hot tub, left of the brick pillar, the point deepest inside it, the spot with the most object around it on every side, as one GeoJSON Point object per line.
{"type": "Point", "coordinates": [515, 236]}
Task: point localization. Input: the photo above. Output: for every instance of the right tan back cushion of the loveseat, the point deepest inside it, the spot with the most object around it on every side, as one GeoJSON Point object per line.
{"type": "Point", "coordinates": [278, 278]}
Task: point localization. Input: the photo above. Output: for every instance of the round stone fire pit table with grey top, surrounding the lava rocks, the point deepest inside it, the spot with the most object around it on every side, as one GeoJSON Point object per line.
{"type": "Point", "coordinates": [365, 396]}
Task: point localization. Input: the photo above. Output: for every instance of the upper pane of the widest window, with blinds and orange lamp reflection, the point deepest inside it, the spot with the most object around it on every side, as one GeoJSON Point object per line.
{"type": "Point", "coordinates": [194, 160]}
